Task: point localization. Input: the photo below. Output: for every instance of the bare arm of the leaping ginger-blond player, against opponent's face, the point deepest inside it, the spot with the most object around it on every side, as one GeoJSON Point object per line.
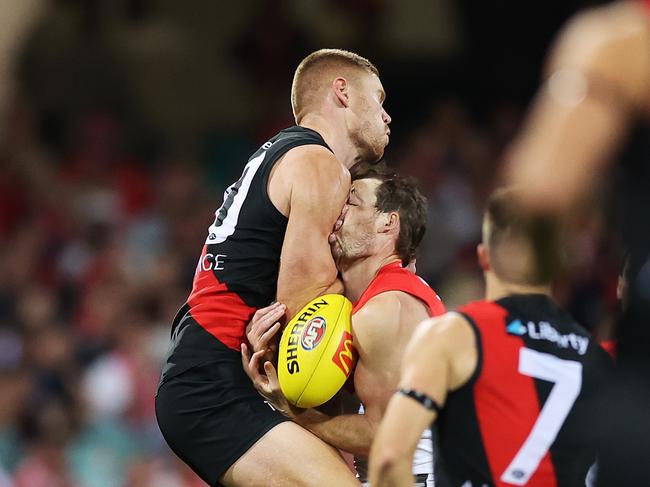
{"type": "Point", "coordinates": [319, 187]}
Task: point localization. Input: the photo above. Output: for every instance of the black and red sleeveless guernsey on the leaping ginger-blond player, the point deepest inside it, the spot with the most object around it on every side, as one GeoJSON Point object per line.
{"type": "Point", "coordinates": [238, 268]}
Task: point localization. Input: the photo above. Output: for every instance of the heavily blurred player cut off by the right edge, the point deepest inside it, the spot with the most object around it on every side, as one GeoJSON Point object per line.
{"type": "Point", "coordinates": [597, 89]}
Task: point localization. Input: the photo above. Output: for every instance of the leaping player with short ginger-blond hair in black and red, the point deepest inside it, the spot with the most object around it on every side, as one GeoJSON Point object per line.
{"type": "Point", "coordinates": [269, 241]}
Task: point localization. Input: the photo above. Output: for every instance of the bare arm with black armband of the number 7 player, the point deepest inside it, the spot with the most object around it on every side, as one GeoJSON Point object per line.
{"type": "Point", "coordinates": [440, 357]}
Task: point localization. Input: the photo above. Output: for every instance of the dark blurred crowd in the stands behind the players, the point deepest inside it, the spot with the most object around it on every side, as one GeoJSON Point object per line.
{"type": "Point", "coordinates": [130, 119]}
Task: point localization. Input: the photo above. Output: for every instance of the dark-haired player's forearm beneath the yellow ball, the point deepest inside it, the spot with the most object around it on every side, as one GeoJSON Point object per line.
{"type": "Point", "coordinates": [348, 432]}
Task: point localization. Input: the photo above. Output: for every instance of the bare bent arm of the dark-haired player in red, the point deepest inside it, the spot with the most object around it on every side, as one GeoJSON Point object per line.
{"type": "Point", "coordinates": [374, 328]}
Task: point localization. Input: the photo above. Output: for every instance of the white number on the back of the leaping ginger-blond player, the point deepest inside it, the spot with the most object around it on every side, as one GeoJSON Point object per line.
{"type": "Point", "coordinates": [227, 215]}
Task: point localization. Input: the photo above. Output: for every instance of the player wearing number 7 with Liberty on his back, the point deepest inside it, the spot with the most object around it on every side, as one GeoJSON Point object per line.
{"type": "Point", "coordinates": [512, 381]}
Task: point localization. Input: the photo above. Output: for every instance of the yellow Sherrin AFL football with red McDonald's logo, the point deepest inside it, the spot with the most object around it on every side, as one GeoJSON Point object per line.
{"type": "Point", "coordinates": [316, 353]}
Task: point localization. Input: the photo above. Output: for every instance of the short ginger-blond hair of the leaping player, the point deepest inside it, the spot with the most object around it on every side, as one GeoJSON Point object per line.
{"type": "Point", "coordinates": [317, 70]}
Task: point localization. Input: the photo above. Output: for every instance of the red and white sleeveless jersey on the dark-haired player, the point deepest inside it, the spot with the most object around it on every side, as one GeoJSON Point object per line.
{"type": "Point", "coordinates": [394, 277]}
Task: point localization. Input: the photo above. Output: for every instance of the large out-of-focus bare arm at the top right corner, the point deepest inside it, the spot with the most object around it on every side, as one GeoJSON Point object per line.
{"type": "Point", "coordinates": [597, 77]}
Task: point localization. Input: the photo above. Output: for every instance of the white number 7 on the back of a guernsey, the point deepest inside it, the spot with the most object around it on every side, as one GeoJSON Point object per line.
{"type": "Point", "coordinates": [566, 376]}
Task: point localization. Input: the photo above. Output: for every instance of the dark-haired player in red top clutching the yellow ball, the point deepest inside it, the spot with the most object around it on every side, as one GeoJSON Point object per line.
{"type": "Point", "coordinates": [384, 224]}
